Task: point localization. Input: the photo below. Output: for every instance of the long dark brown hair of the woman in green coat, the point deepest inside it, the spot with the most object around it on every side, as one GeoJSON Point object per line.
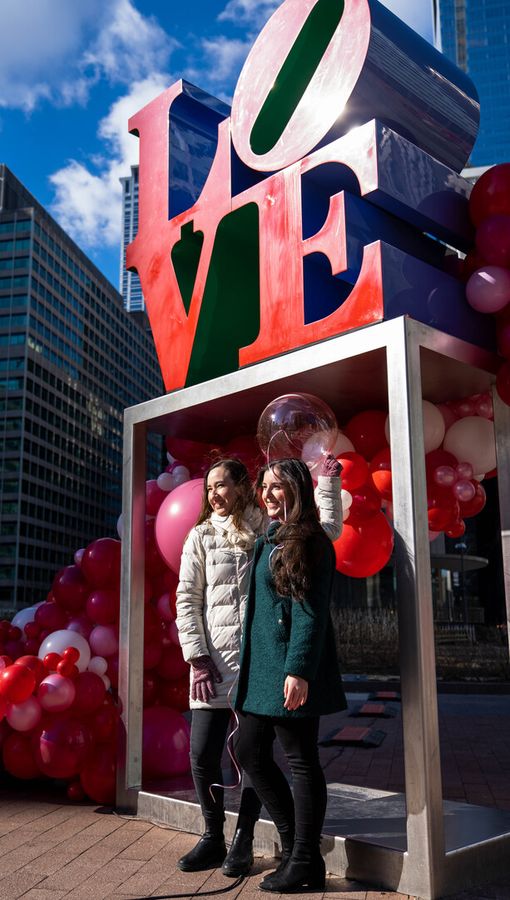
{"type": "Point", "coordinates": [293, 560]}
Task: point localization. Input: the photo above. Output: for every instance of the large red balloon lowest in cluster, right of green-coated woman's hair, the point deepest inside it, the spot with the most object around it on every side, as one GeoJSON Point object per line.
{"type": "Point", "coordinates": [362, 550]}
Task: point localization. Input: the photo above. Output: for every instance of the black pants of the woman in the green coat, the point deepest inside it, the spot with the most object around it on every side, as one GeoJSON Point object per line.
{"type": "Point", "coordinates": [298, 738]}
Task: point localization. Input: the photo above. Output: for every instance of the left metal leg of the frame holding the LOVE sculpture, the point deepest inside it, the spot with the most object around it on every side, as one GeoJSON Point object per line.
{"type": "Point", "coordinates": [129, 763]}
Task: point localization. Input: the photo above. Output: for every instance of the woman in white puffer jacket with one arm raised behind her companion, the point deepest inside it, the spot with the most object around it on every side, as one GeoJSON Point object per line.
{"type": "Point", "coordinates": [211, 599]}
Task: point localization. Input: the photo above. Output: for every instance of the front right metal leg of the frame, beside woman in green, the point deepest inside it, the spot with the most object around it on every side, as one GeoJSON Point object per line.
{"type": "Point", "coordinates": [425, 836]}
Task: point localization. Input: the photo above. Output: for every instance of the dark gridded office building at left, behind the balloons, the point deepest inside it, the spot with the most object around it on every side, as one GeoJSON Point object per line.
{"type": "Point", "coordinates": [71, 360]}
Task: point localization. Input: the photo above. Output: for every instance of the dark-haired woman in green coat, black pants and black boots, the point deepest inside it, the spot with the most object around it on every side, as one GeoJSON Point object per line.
{"type": "Point", "coordinates": [288, 671]}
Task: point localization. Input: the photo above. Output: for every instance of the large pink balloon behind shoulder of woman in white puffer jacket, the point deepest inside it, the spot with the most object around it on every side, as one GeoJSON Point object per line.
{"type": "Point", "coordinates": [176, 517]}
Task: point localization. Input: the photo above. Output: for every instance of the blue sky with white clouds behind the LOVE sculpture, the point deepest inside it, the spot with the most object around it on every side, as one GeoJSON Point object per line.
{"type": "Point", "coordinates": [73, 71]}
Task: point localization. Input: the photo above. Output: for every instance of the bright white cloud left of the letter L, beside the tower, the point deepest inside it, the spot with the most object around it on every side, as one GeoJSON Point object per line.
{"type": "Point", "coordinates": [88, 200]}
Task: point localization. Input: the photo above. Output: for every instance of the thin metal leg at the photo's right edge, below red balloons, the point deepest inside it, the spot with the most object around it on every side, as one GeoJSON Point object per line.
{"type": "Point", "coordinates": [502, 429]}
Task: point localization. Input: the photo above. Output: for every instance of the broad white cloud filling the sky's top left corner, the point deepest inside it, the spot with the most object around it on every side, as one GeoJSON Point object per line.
{"type": "Point", "coordinates": [68, 46]}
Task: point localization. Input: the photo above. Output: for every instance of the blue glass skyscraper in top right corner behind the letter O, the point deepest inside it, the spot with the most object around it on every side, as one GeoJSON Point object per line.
{"type": "Point", "coordinates": [475, 34]}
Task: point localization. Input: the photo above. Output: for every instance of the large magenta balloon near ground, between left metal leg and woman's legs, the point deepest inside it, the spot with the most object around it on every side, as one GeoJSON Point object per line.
{"type": "Point", "coordinates": [165, 743]}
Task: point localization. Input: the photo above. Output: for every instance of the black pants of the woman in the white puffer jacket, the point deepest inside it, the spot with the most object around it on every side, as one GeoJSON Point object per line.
{"type": "Point", "coordinates": [208, 734]}
